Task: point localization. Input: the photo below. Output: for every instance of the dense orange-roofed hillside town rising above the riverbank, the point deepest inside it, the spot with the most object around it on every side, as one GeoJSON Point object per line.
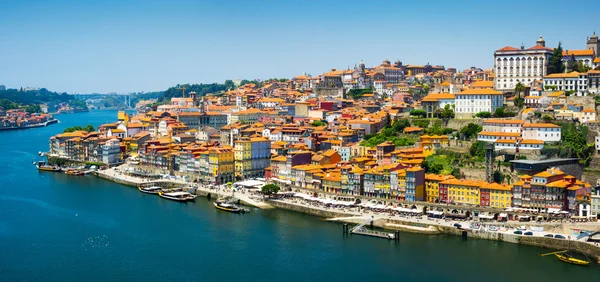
{"type": "Point", "coordinates": [505, 153]}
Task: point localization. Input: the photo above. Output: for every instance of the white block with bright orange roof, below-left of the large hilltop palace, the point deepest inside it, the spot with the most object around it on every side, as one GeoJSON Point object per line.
{"type": "Point", "coordinates": [472, 101]}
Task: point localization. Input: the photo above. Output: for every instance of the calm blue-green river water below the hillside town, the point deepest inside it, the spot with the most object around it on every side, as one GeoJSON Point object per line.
{"type": "Point", "coordinates": [59, 227]}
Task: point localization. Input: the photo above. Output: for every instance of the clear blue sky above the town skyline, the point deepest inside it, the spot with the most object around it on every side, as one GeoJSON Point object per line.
{"type": "Point", "coordinates": [125, 46]}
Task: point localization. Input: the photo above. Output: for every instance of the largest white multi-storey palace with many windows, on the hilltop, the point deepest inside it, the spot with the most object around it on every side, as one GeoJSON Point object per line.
{"type": "Point", "coordinates": [513, 65]}
